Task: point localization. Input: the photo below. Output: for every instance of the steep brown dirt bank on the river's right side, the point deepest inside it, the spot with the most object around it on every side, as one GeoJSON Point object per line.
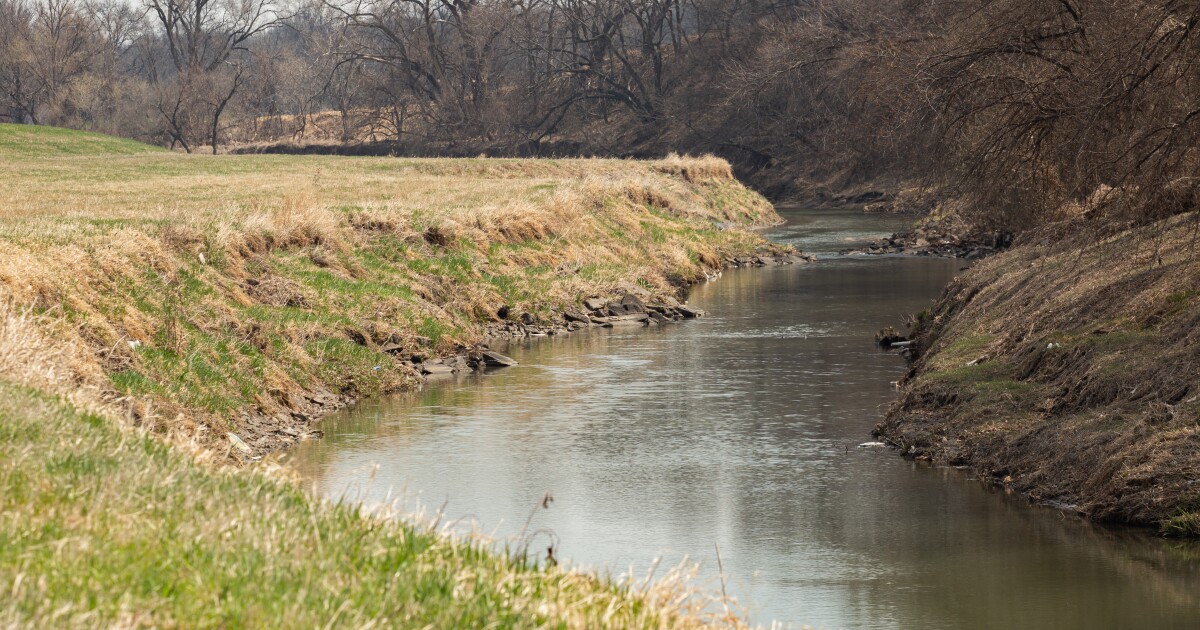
{"type": "Point", "coordinates": [1069, 369]}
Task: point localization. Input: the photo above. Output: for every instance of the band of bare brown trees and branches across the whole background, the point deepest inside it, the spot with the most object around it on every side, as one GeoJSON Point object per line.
{"type": "Point", "coordinates": [1027, 106]}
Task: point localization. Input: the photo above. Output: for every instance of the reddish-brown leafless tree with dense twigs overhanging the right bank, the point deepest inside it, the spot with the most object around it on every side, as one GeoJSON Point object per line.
{"type": "Point", "coordinates": [1041, 103]}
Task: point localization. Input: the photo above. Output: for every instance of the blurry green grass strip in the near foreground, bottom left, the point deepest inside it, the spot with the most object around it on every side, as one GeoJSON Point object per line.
{"type": "Point", "coordinates": [101, 527]}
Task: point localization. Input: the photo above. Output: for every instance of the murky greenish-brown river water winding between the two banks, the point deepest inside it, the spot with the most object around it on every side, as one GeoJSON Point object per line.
{"type": "Point", "coordinates": [740, 431]}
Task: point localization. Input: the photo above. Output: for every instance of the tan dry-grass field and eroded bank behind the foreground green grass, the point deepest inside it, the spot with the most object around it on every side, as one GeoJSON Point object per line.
{"type": "Point", "coordinates": [249, 295]}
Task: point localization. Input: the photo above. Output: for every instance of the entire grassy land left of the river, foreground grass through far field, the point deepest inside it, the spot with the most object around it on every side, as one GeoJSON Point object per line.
{"type": "Point", "coordinates": [191, 296]}
